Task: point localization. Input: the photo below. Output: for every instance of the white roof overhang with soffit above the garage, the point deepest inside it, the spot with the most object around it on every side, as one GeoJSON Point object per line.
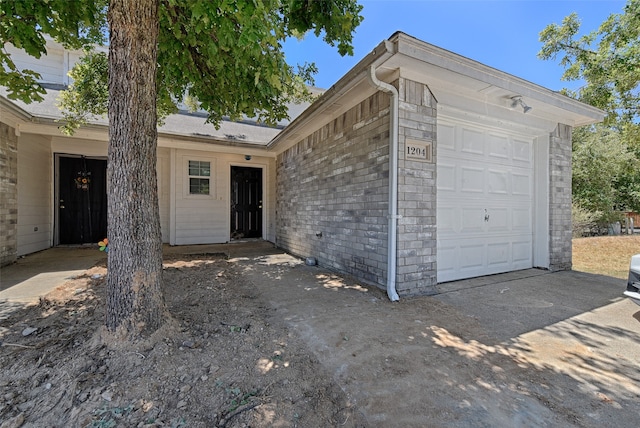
{"type": "Point", "coordinates": [462, 87]}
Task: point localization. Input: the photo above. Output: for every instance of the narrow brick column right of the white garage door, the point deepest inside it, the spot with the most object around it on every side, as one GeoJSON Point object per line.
{"type": "Point", "coordinates": [560, 198]}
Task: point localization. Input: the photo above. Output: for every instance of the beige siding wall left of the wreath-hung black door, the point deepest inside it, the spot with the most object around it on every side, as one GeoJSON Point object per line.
{"type": "Point", "coordinates": [35, 225]}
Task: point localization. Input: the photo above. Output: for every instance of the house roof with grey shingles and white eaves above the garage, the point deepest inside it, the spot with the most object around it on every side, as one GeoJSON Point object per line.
{"type": "Point", "coordinates": [458, 83]}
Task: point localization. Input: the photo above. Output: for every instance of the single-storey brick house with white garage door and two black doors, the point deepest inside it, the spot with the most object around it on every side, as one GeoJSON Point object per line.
{"type": "Point", "coordinates": [419, 166]}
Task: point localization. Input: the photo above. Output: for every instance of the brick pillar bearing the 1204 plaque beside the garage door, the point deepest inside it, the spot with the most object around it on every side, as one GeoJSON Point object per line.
{"type": "Point", "coordinates": [417, 265]}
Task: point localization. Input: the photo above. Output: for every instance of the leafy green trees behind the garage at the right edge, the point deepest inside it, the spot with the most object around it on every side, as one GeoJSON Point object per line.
{"type": "Point", "coordinates": [606, 157]}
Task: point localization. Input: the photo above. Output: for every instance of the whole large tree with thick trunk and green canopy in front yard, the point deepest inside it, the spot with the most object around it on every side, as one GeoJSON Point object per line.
{"type": "Point", "coordinates": [226, 54]}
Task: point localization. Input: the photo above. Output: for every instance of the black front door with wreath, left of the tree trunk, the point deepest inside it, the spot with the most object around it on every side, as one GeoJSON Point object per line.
{"type": "Point", "coordinates": [82, 203]}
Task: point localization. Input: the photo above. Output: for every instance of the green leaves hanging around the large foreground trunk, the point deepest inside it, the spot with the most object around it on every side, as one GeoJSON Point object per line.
{"type": "Point", "coordinates": [225, 57]}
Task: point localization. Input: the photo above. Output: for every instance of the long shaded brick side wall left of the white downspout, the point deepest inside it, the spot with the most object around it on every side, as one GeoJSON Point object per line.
{"type": "Point", "coordinates": [335, 182]}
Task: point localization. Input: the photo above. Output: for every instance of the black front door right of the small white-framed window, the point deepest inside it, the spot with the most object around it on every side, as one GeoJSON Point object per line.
{"type": "Point", "coordinates": [246, 202]}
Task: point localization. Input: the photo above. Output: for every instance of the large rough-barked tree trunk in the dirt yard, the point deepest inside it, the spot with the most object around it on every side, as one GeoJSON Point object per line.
{"type": "Point", "coordinates": [135, 303]}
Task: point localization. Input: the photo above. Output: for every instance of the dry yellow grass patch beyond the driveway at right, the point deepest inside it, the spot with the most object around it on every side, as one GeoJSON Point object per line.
{"type": "Point", "coordinates": [605, 255]}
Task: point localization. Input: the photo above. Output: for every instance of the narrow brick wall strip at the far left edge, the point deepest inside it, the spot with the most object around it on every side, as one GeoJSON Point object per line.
{"type": "Point", "coordinates": [8, 194]}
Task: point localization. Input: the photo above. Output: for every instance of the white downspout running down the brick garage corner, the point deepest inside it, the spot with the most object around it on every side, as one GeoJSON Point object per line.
{"type": "Point", "coordinates": [393, 183]}
